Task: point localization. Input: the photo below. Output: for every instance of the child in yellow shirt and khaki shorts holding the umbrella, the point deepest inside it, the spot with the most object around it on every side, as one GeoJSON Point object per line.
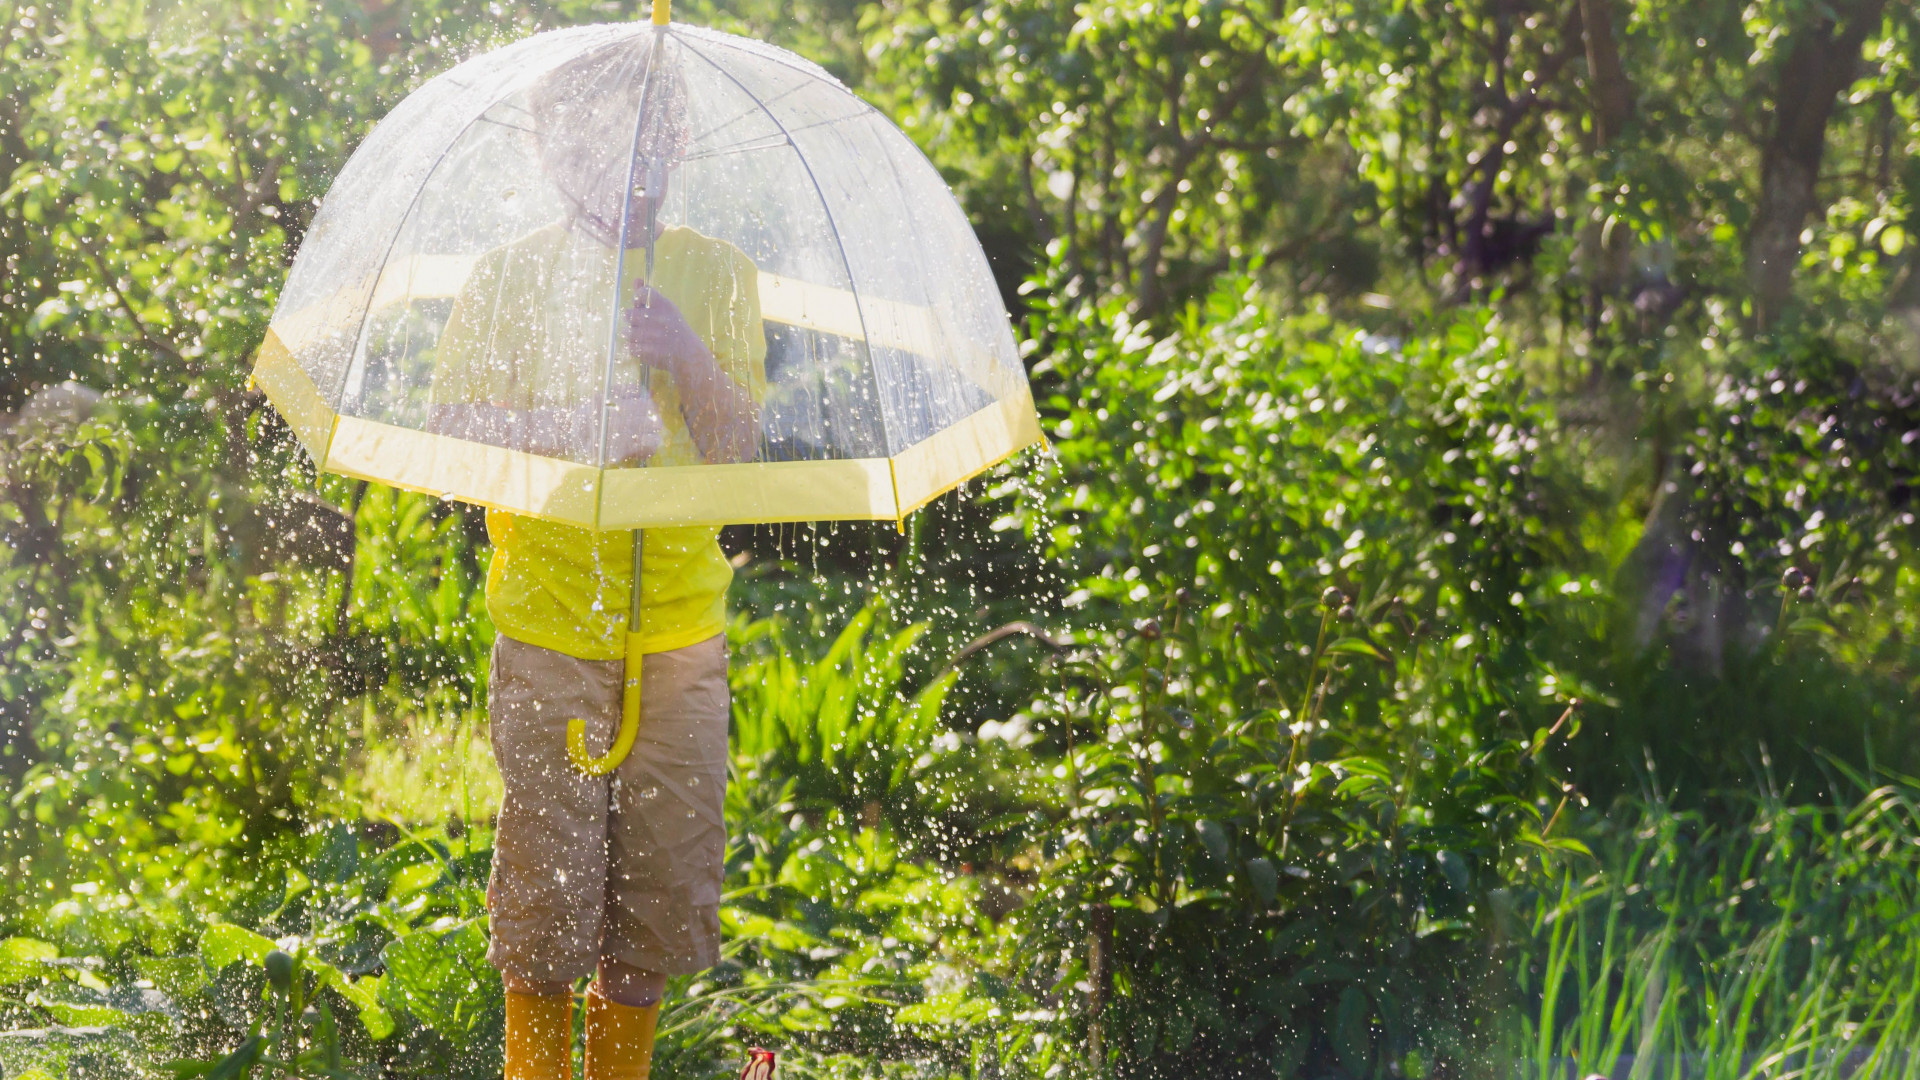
{"type": "Point", "coordinates": [615, 877]}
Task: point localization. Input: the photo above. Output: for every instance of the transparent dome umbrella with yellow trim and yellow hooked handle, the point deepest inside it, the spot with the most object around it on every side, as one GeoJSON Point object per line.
{"type": "Point", "coordinates": [646, 276]}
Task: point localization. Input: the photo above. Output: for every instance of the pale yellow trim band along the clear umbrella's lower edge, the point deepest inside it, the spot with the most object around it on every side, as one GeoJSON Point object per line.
{"type": "Point", "coordinates": [873, 489]}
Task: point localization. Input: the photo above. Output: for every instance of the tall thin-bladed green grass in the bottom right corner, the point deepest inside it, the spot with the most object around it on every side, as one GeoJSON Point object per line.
{"type": "Point", "coordinates": [1781, 946]}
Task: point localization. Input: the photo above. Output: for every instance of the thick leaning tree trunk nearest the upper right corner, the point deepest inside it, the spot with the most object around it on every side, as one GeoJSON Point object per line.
{"type": "Point", "coordinates": [1819, 64]}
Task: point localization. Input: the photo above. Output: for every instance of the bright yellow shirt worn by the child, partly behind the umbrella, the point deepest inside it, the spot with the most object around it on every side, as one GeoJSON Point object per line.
{"type": "Point", "coordinates": [531, 330]}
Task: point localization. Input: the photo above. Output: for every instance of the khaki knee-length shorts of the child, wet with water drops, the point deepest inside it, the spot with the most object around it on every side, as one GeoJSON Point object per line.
{"type": "Point", "coordinates": [627, 866]}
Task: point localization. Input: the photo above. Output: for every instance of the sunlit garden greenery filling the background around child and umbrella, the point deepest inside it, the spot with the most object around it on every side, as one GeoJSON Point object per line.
{"type": "Point", "coordinates": [1464, 626]}
